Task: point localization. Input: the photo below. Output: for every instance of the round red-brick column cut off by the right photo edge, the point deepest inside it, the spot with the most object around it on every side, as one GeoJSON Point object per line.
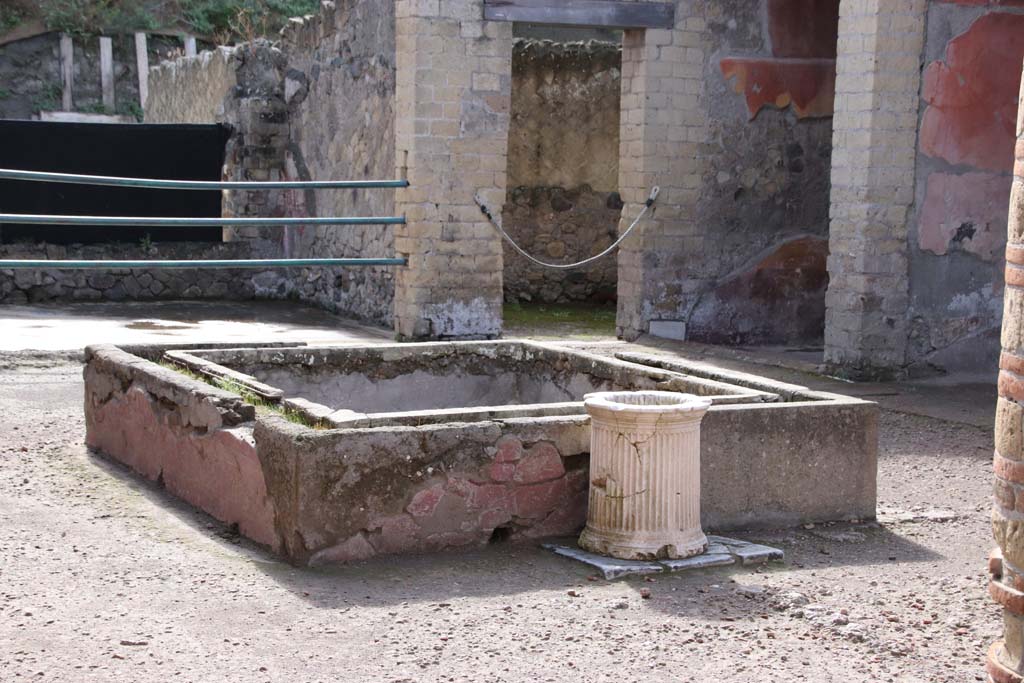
{"type": "Point", "coordinates": [1007, 566]}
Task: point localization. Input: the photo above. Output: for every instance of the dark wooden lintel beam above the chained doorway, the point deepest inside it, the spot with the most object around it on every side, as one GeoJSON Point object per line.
{"type": "Point", "coordinates": [607, 14]}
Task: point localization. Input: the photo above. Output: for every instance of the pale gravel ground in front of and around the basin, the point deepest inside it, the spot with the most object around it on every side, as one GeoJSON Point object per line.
{"type": "Point", "coordinates": [105, 578]}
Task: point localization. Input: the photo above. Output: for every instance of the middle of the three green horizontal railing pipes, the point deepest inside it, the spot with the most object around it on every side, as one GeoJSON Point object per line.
{"type": "Point", "coordinates": [136, 222]}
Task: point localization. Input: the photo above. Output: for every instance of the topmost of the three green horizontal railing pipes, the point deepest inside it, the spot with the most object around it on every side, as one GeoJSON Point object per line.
{"type": "Point", "coordinates": [159, 184]}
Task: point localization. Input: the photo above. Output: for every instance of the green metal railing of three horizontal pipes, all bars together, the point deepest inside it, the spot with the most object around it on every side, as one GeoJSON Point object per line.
{"type": "Point", "coordinates": [153, 222]}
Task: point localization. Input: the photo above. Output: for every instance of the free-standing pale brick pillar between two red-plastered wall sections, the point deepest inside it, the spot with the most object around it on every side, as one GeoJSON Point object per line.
{"type": "Point", "coordinates": [873, 179]}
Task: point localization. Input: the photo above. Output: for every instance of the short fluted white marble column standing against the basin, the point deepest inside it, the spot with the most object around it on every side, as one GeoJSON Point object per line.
{"type": "Point", "coordinates": [646, 476]}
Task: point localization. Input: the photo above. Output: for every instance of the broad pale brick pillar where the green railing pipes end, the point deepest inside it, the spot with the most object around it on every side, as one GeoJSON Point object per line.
{"type": "Point", "coordinates": [453, 101]}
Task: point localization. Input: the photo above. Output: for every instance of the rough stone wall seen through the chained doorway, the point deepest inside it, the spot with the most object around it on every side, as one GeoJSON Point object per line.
{"type": "Point", "coordinates": [564, 169]}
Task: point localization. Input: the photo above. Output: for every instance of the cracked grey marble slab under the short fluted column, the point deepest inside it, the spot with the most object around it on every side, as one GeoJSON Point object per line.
{"type": "Point", "coordinates": [721, 552]}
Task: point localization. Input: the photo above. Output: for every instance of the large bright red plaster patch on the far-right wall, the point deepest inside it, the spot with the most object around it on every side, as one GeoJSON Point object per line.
{"type": "Point", "coordinates": [972, 96]}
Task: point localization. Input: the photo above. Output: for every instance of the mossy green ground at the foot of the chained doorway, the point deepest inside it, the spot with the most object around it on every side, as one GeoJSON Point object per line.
{"type": "Point", "coordinates": [560, 321]}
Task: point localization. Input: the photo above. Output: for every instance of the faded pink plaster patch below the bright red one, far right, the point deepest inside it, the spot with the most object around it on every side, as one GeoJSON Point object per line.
{"type": "Point", "coordinates": [970, 210]}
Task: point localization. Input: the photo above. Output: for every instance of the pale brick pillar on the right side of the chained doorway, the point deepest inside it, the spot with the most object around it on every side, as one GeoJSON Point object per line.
{"type": "Point", "coordinates": [663, 126]}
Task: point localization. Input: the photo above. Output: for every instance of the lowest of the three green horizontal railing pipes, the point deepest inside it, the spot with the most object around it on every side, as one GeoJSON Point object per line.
{"type": "Point", "coordinates": [223, 264]}
